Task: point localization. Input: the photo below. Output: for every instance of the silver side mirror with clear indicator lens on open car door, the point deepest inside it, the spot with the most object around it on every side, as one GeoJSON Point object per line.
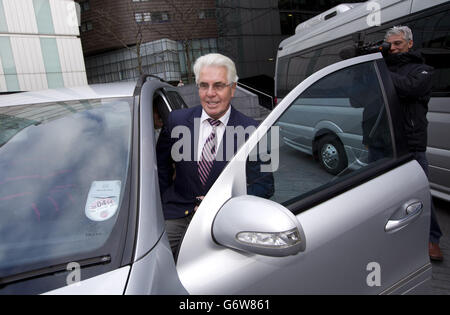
{"type": "Point", "coordinates": [259, 226]}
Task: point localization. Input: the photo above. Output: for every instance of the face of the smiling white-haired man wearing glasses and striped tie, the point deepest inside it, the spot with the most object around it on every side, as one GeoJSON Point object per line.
{"type": "Point", "coordinates": [214, 90]}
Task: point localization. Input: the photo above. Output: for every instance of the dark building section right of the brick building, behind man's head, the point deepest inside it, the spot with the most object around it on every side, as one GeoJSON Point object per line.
{"type": "Point", "coordinates": [249, 33]}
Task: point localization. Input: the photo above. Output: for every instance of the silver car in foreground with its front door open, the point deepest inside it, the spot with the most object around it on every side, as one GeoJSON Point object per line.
{"type": "Point", "coordinates": [80, 210]}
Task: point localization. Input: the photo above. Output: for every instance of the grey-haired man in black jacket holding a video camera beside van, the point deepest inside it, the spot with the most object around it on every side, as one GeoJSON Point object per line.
{"type": "Point", "coordinates": [412, 81]}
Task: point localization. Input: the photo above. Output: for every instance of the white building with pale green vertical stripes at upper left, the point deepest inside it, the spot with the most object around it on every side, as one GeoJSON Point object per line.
{"type": "Point", "coordinates": [39, 45]}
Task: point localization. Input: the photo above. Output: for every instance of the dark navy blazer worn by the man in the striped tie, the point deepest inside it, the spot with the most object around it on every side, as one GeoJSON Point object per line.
{"type": "Point", "coordinates": [179, 182]}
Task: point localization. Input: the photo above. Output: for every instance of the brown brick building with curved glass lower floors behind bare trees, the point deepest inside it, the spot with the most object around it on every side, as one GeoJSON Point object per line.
{"type": "Point", "coordinates": [133, 37]}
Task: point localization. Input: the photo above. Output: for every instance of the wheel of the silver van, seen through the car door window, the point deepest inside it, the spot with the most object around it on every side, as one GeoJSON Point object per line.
{"type": "Point", "coordinates": [332, 154]}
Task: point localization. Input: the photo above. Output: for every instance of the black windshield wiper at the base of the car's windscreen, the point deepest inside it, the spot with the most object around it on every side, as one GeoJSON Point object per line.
{"type": "Point", "coordinates": [37, 273]}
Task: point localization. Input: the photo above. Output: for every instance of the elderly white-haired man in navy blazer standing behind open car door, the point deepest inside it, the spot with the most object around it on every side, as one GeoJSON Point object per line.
{"type": "Point", "coordinates": [183, 186]}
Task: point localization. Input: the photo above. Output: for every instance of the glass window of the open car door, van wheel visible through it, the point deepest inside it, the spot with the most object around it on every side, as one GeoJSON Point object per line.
{"type": "Point", "coordinates": [336, 128]}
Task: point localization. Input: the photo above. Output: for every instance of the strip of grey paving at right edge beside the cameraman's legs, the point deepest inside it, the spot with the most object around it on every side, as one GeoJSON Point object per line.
{"type": "Point", "coordinates": [440, 283]}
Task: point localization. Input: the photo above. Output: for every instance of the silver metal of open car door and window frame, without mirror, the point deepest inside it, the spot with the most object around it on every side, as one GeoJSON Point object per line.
{"type": "Point", "coordinates": [333, 230]}
